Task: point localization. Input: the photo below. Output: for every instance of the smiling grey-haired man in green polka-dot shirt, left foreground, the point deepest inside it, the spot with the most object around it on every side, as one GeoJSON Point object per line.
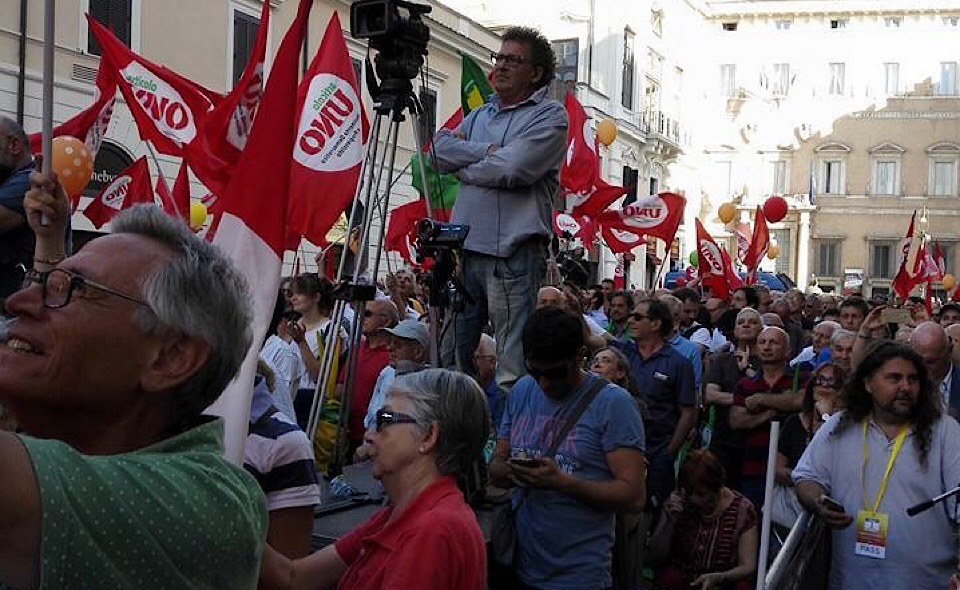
{"type": "Point", "coordinates": [120, 480]}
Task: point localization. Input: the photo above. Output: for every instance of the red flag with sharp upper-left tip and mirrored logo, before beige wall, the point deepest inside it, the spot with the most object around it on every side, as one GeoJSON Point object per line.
{"type": "Point", "coordinates": [168, 111]}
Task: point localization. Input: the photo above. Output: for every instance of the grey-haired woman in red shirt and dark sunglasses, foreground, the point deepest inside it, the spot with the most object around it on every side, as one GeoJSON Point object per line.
{"type": "Point", "coordinates": [431, 429]}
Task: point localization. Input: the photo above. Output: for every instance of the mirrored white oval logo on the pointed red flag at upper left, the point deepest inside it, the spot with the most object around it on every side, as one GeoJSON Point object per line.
{"type": "Point", "coordinates": [161, 103]}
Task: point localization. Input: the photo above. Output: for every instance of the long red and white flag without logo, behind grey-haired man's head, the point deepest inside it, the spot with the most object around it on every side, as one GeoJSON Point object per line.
{"type": "Point", "coordinates": [252, 222]}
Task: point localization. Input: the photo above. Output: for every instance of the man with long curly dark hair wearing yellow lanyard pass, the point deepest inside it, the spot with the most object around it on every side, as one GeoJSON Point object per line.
{"type": "Point", "coordinates": [891, 448]}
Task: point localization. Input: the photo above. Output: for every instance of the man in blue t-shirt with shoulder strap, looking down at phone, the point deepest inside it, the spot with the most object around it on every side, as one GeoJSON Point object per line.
{"type": "Point", "coordinates": [566, 503]}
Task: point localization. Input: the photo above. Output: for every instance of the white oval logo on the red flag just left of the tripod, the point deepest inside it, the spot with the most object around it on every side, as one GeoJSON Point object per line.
{"type": "Point", "coordinates": [329, 134]}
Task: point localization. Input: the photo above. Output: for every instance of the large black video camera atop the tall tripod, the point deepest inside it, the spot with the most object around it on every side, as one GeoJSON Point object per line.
{"type": "Point", "coordinates": [401, 41]}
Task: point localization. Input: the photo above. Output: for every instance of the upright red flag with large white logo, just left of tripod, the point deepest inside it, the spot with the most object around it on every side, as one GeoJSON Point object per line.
{"type": "Point", "coordinates": [329, 146]}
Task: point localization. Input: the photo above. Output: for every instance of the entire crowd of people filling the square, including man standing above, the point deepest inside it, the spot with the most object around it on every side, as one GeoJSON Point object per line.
{"type": "Point", "coordinates": [625, 433]}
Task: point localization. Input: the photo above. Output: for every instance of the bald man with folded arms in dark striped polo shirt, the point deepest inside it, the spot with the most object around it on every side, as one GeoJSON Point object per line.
{"type": "Point", "coordinates": [757, 401]}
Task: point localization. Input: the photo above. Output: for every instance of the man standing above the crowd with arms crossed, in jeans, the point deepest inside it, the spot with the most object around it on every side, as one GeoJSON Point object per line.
{"type": "Point", "coordinates": [507, 155]}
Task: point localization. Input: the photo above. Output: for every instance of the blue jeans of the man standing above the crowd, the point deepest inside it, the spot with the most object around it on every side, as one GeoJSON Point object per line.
{"type": "Point", "coordinates": [505, 293]}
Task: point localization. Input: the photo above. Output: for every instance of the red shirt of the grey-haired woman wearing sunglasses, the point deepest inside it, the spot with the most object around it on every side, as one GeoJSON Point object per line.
{"type": "Point", "coordinates": [435, 544]}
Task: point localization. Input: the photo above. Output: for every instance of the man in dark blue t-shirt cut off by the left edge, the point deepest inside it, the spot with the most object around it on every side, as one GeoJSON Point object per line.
{"type": "Point", "coordinates": [16, 239]}
